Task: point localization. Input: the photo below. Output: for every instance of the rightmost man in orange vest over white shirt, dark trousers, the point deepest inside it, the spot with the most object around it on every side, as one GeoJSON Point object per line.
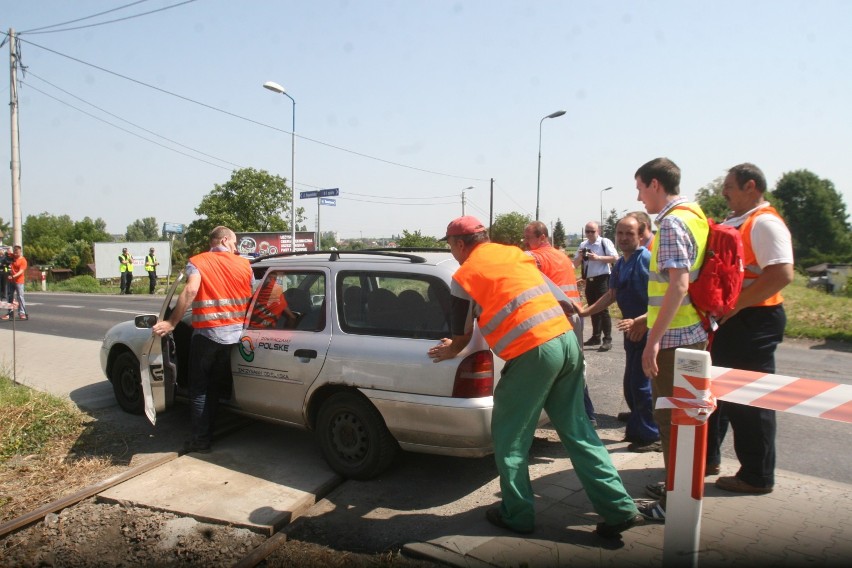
{"type": "Point", "coordinates": [747, 337]}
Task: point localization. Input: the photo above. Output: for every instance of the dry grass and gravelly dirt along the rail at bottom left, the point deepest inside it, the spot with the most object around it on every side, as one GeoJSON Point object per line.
{"type": "Point", "coordinates": [93, 534]}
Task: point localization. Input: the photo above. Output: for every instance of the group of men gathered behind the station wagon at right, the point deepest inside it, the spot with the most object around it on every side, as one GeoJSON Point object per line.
{"type": "Point", "coordinates": [523, 319]}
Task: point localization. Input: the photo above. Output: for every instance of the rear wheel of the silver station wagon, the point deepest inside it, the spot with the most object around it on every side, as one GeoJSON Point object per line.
{"type": "Point", "coordinates": [353, 437]}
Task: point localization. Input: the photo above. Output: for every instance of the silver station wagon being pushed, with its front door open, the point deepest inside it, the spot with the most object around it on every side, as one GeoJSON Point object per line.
{"type": "Point", "coordinates": [351, 365]}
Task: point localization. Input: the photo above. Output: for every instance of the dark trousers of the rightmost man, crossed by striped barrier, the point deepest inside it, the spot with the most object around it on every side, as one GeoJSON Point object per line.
{"type": "Point", "coordinates": [747, 341]}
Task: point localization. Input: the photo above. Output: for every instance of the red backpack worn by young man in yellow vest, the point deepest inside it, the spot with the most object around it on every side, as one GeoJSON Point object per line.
{"type": "Point", "coordinates": [716, 290]}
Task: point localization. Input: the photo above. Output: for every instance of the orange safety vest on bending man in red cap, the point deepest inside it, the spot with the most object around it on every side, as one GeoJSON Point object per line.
{"type": "Point", "coordinates": [519, 312]}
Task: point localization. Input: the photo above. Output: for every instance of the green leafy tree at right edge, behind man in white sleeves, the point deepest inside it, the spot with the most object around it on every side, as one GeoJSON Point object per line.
{"type": "Point", "coordinates": [816, 216]}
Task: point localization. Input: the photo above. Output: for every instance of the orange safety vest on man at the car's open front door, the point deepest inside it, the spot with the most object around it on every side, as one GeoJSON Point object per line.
{"type": "Point", "coordinates": [225, 289]}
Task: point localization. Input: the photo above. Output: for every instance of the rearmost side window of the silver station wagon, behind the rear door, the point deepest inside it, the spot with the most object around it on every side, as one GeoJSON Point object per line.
{"type": "Point", "coordinates": [393, 304]}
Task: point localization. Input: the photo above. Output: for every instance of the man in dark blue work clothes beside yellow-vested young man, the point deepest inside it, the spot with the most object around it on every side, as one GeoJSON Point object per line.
{"type": "Point", "coordinates": [628, 286]}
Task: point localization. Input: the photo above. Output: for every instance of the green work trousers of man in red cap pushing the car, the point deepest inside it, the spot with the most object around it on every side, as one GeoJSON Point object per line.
{"type": "Point", "coordinates": [550, 376]}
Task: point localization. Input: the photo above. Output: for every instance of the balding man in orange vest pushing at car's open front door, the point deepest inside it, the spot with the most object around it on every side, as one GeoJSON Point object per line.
{"type": "Point", "coordinates": [218, 288]}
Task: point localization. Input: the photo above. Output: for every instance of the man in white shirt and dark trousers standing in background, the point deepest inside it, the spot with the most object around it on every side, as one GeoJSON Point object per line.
{"type": "Point", "coordinates": [596, 254]}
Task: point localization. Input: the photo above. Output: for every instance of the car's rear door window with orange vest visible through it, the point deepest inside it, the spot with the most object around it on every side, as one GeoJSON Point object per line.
{"type": "Point", "coordinates": [289, 300]}
